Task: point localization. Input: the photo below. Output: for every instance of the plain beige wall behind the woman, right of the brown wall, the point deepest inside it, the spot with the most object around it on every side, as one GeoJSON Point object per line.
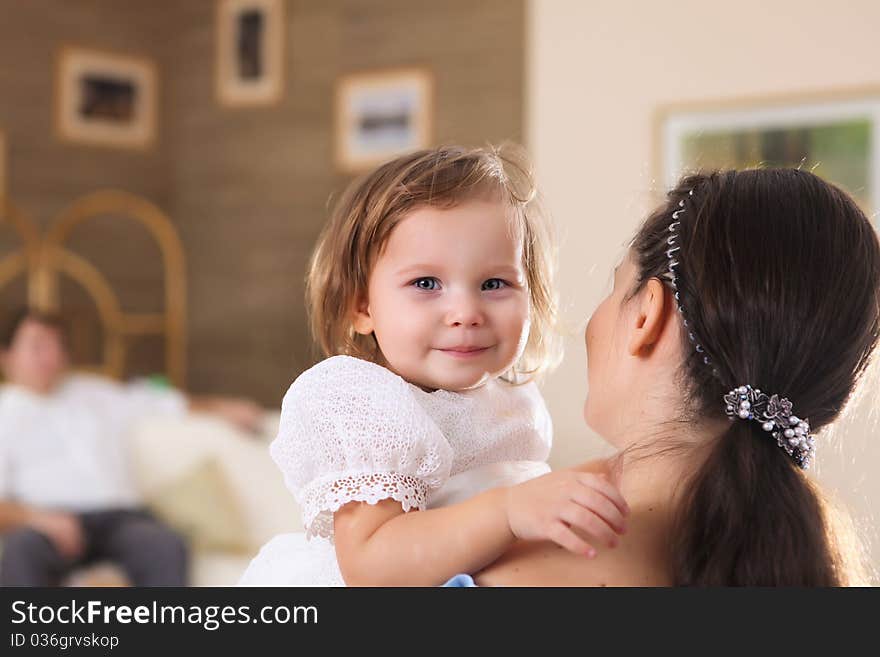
{"type": "Point", "coordinates": [596, 73]}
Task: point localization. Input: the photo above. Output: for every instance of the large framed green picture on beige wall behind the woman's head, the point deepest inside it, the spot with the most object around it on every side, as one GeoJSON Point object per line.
{"type": "Point", "coordinates": [835, 135]}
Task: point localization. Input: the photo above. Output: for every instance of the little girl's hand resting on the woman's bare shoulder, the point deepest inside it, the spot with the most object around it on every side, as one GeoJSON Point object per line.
{"type": "Point", "coordinates": [553, 506]}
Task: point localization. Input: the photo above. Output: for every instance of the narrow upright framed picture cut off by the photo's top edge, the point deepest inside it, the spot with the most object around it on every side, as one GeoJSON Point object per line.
{"type": "Point", "coordinates": [250, 52]}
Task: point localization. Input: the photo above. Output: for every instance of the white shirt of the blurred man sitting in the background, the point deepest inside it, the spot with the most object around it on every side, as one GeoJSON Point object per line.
{"type": "Point", "coordinates": [67, 450]}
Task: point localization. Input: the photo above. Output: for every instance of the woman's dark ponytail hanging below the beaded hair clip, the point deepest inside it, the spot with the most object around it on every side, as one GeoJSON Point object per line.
{"type": "Point", "coordinates": [748, 516]}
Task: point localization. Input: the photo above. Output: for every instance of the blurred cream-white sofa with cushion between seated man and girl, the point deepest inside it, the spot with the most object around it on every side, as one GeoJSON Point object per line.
{"type": "Point", "coordinates": [218, 486]}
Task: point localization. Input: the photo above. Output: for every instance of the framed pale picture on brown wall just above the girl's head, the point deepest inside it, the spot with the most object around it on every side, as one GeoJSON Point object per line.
{"type": "Point", "coordinates": [380, 115]}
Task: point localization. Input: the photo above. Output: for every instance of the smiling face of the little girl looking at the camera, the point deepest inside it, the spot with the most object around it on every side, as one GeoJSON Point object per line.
{"type": "Point", "coordinates": [448, 298]}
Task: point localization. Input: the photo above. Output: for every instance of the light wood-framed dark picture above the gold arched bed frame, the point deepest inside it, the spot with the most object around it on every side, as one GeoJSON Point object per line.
{"type": "Point", "coordinates": [105, 99]}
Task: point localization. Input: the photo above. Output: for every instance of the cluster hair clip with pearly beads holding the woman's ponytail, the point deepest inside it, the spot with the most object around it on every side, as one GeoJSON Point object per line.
{"type": "Point", "coordinates": [791, 433]}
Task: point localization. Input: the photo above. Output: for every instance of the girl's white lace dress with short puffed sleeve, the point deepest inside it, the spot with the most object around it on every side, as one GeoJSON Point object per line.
{"type": "Point", "coordinates": [352, 430]}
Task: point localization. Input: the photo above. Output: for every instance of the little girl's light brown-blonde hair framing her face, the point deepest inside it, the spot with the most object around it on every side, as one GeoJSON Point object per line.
{"type": "Point", "coordinates": [374, 204]}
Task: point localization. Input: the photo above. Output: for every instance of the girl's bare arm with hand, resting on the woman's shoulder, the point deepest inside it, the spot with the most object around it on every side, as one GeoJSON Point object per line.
{"type": "Point", "coordinates": [380, 545]}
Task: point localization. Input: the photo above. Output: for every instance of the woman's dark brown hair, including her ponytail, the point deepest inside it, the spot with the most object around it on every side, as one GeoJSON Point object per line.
{"type": "Point", "coordinates": [779, 278]}
